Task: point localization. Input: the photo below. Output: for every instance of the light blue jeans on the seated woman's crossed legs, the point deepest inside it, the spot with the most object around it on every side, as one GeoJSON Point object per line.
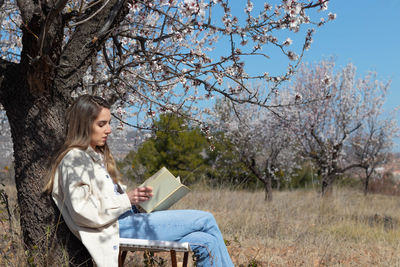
{"type": "Point", "coordinates": [199, 228]}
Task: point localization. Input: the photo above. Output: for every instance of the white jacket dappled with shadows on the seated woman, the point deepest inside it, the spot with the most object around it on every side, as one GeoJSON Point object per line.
{"type": "Point", "coordinates": [84, 193]}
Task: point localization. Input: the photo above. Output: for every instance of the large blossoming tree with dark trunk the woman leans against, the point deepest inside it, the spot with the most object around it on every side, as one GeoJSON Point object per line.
{"type": "Point", "coordinates": [151, 56]}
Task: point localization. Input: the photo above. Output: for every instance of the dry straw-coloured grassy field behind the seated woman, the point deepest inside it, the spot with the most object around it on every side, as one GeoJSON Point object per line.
{"type": "Point", "coordinates": [298, 228]}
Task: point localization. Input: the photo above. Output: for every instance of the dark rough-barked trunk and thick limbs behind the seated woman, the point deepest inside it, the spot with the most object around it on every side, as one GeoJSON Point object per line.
{"type": "Point", "coordinates": [35, 94]}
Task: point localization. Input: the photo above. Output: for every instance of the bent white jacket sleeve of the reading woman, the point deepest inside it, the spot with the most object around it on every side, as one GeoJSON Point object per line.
{"type": "Point", "coordinates": [86, 208]}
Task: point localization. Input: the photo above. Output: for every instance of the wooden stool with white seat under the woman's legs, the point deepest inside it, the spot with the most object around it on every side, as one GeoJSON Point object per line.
{"type": "Point", "coordinates": [129, 244]}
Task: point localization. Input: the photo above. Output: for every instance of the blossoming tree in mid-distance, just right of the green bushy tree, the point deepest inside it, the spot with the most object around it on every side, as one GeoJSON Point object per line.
{"type": "Point", "coordinates": [262, 140]}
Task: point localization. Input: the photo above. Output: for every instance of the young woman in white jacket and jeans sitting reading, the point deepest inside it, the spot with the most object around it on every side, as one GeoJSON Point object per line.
{"type": "Point", "coordinates": [85, 186]}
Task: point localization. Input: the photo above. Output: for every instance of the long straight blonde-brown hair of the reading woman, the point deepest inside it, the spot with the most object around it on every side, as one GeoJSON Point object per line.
{"type": "Point", "coordinates": [80, 118]}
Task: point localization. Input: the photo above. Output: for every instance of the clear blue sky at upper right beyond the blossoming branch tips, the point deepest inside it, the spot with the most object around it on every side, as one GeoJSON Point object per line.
{"type": "Point", "coordinates": [365, 33]}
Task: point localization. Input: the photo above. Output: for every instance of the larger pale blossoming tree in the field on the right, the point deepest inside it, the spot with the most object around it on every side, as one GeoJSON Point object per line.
{"type": "Point", "coordinates": [341, 128]}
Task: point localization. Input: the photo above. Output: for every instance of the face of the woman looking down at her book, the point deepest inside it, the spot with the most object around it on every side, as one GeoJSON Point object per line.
{"type": "Point", "coordinates": [101, 128]}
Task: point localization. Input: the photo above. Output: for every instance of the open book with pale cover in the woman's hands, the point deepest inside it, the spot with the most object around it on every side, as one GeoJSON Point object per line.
{"type": "Point", "coordinates": [167, 190]}
